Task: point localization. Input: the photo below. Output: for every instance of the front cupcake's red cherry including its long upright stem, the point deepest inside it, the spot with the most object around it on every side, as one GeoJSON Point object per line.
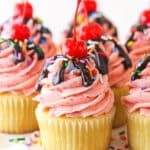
{"type": "Point", "coordinates": [72, 46]}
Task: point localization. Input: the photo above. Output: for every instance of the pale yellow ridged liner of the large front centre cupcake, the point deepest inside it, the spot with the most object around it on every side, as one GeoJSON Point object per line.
{"type": "Point", "coordinates": [62, 133]}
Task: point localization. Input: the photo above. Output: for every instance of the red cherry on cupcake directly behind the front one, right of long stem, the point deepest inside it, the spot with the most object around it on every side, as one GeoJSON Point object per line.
{"type": "Point", "coordinates": [91, 31]}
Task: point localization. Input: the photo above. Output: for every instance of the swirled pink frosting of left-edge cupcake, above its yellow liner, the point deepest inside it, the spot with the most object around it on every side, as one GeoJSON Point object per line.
{"type": "Point", "coordinates": [20, 77]}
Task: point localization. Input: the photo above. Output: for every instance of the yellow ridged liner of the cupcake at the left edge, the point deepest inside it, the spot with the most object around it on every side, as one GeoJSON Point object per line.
{"type": "Point", "coordinates": [17, 113]}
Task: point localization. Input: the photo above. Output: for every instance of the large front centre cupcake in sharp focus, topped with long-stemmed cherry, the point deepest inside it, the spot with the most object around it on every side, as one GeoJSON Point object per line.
{"type": "Point", "coordinates": [75, 110]}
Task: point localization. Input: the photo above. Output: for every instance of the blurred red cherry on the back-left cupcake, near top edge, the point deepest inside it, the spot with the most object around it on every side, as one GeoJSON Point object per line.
{"type": "Point", "coordinates": [23, 9]}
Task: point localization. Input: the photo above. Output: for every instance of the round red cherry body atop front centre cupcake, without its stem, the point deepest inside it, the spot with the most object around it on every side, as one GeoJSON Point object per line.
{"type": "Point", "coordinates": [74, 48]}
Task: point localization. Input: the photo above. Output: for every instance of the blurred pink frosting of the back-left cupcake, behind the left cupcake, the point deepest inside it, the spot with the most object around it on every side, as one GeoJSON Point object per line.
{"type": "Point", "coordinates": [49, 47]}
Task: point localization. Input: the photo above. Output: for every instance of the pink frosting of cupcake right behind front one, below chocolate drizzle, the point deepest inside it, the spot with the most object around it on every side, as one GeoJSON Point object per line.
{"type": "Point", "coordinates": [118, 74]}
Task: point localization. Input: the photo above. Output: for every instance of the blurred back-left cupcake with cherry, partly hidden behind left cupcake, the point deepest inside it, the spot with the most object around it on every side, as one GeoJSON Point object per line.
{"type": "Point", "coordinates": [39, 33]}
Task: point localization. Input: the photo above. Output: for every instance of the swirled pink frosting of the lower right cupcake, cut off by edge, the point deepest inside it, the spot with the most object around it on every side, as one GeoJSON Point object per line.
{"type": "Point", "coordinates": [139, 96]}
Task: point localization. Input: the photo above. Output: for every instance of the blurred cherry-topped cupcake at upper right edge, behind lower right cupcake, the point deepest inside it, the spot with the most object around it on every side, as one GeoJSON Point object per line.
{"type": "Point", "coordinates": [138, 40]}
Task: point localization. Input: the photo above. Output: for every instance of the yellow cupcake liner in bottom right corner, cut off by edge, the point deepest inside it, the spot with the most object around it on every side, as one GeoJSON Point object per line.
{"type": "Point", "coordinates": [138, 130]}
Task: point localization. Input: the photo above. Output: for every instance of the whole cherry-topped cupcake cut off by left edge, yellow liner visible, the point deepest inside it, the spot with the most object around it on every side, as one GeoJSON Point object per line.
{"type": "Point", "coordinates": [21, 62]}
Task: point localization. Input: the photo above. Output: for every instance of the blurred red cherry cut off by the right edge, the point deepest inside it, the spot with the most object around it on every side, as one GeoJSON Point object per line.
{"type": "Point", "coordinates": [144, 18]}
